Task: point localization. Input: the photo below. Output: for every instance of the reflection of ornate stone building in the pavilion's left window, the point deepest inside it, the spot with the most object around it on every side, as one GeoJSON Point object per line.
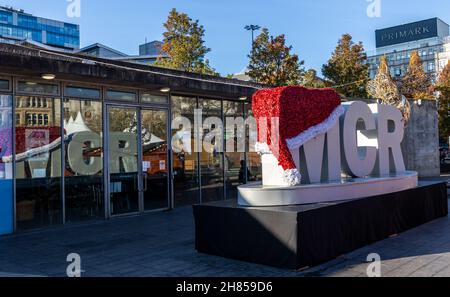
{"type": "Point", "coordinates": [33, 111]}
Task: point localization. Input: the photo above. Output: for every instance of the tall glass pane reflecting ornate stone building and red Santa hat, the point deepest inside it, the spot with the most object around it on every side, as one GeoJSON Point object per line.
{"type": "Point", "coordinates": [38, 159]}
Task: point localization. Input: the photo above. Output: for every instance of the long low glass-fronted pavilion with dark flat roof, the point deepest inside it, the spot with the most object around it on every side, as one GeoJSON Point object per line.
{"type": "Point", "coordinates": [95, 141]}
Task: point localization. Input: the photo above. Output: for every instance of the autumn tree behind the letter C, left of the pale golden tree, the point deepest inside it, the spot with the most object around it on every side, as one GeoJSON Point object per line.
{"type": "Point", "coordinates": [347, 68]}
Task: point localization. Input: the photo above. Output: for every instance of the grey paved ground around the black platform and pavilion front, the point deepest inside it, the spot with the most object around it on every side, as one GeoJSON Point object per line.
{"type": "Point", "coordinates": [162, 244]}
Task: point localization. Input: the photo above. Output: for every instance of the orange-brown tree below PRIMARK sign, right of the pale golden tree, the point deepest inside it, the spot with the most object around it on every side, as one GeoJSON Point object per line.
{"type": "Point", "coordinates": [416, 83]}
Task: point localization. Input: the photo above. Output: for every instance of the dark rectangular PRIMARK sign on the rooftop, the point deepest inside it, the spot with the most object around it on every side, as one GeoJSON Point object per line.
{"type": "Point", "coordinates": [407, 33]}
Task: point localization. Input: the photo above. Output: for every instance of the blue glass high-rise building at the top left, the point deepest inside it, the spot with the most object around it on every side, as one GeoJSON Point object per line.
{"type": "Point", "coordinates": [16, 25]}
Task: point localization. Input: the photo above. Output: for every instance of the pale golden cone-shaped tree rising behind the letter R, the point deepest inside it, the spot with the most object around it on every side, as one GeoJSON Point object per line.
{"type": "Point", "coordinates": [385, 89]}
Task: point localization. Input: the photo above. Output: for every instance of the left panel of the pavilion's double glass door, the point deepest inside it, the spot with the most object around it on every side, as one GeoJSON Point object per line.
{"type": "Point", "coordinates": [123, 171]}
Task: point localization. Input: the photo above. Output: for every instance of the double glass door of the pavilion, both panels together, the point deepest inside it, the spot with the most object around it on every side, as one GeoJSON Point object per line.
{"type": "Point", "coordinates": [138, 160]}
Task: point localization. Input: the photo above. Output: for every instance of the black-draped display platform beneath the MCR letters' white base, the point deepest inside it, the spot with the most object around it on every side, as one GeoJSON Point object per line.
{"type": "Point", "coordinates": [303, 236]}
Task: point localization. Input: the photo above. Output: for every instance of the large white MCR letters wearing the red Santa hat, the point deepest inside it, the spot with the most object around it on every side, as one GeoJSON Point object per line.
{"type": "Point", "coordinates": [366, 141]}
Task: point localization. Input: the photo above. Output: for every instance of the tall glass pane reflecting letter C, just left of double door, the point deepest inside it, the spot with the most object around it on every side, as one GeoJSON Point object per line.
{"type": "Point", "coordinates": [84, 160]}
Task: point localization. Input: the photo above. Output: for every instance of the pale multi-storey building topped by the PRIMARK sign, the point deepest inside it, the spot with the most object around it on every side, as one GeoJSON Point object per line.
{"type": "Point", "coordinates": [429, 37]}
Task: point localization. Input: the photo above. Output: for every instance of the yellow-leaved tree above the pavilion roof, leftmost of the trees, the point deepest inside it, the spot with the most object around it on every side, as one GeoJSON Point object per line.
{"type": "Point", "coordinates": [184, 45]}
